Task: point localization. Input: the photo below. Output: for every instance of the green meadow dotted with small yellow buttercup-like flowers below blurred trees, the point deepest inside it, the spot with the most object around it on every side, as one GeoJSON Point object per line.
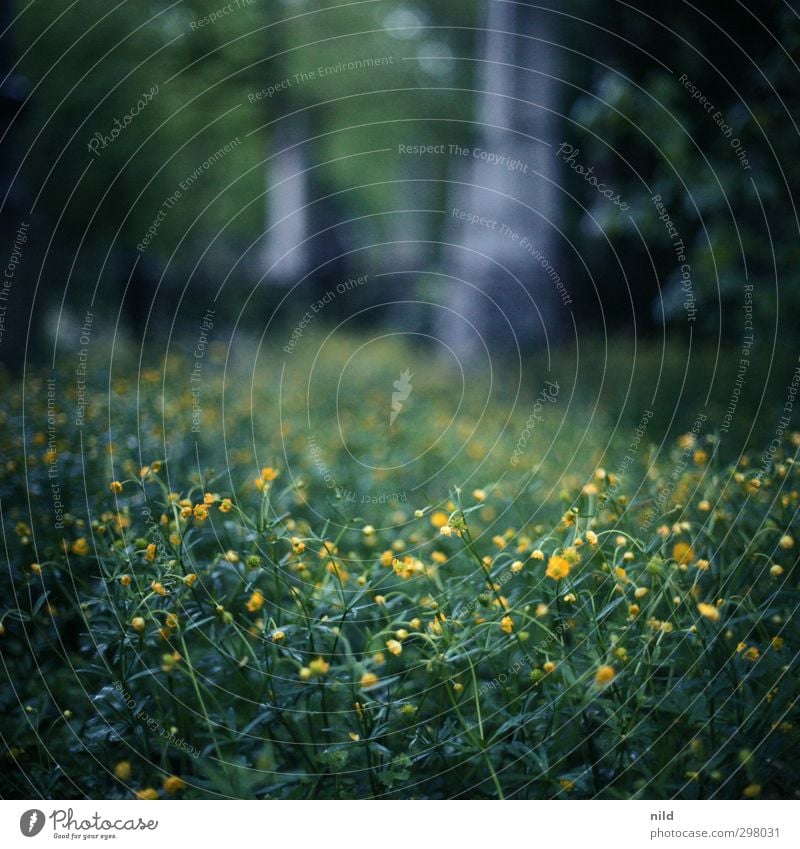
{"type": "Point", "coordinates": [258, 584]}
